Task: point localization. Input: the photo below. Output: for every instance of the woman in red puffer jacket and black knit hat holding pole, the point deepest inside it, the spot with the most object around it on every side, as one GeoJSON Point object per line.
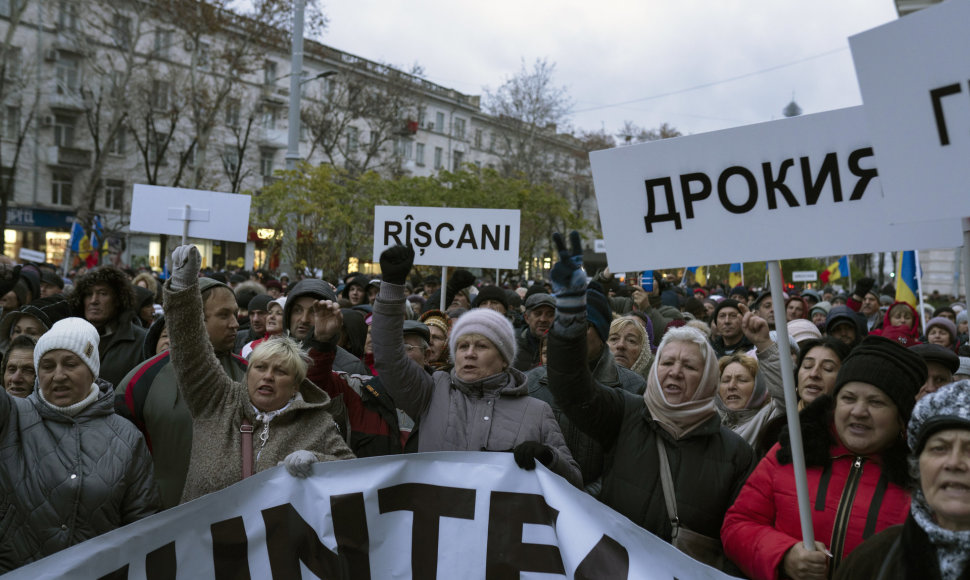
{"type": "Point", "coordinates": [858, 477]}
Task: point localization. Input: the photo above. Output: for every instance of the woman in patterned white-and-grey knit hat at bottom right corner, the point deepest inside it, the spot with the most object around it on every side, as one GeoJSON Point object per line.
{"type": "Point", "coordinates": [934, 541]}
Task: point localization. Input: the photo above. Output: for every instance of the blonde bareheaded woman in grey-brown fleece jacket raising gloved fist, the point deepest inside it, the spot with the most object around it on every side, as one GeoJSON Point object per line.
{"type": "Point", "coordinates": [289, 417]}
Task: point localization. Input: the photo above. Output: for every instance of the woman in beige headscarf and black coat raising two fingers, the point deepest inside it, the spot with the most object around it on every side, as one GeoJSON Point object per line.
{"type": "Point", "coordinates": [673, 423]}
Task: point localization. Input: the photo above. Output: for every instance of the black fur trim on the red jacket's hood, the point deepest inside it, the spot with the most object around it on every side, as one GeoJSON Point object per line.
{"type": "Point", "coordinates": [819, 441]}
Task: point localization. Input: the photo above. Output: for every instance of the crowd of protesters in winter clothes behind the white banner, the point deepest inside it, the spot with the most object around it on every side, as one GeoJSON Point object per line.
{"type": "Point", "coordinates": [126, 394]}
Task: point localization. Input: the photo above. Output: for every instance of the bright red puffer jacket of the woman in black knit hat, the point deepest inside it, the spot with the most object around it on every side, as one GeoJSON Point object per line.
{"type": "Point", "coordinates": [851, 498]}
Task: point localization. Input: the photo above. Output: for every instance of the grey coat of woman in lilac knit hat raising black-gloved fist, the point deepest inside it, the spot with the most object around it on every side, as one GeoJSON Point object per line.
{"type": "Point", "coordinates": [495, 414]}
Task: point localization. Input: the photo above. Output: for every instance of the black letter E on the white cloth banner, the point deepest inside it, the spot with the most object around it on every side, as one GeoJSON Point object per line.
{"type": "Point", "coordinates": [506, 555]}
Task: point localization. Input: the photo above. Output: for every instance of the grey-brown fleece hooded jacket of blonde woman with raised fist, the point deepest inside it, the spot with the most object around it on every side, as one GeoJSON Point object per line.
{"type": "Point", "coordinates": [218, 405]}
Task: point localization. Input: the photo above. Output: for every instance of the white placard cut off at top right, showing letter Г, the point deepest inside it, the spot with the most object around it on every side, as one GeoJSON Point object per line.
{"type": "Point", "coordinates": [914, 76]}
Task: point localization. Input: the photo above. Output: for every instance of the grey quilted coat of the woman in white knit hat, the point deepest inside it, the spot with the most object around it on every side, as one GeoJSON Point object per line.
{"type": "Point", "coordinates": [66, 479]}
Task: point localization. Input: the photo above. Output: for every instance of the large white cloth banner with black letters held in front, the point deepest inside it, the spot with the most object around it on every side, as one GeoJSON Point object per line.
{"type": "Point", "coordinates": [446, 515]}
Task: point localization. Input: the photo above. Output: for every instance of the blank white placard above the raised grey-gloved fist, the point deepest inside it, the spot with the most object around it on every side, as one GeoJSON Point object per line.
{"type": "Point", "coordinates": [213, 215]}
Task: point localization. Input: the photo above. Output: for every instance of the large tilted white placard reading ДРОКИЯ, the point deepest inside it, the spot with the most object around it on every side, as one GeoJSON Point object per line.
{"type": "Point", "coordinates": [825, 198]}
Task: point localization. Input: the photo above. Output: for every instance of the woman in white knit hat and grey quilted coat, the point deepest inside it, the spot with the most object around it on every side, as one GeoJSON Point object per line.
{"type": "Point", "coordinates": [70, 469]}
